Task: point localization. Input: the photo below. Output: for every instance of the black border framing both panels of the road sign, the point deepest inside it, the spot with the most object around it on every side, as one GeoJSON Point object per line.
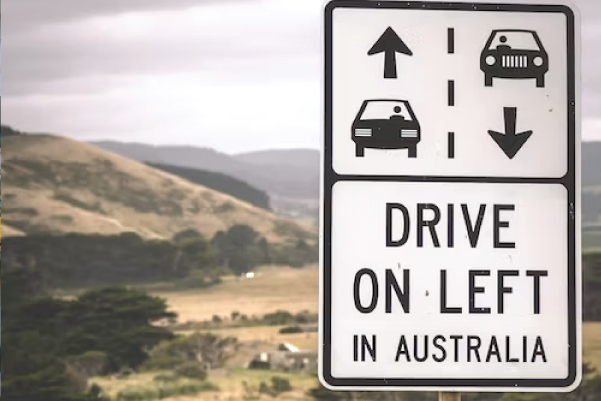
{"type": "Point", "coordinates": [330, 177]}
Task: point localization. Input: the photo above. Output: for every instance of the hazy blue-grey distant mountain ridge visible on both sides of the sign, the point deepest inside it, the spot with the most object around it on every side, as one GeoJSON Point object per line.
{"type": "Point", "coordinates": [291, 176]}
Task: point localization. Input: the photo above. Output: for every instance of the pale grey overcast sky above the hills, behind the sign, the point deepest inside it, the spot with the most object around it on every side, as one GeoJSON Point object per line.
{"type": "Point", "coordinates": [236, 75]}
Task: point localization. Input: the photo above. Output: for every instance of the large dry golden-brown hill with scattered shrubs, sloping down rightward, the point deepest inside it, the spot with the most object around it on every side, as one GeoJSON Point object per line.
{"type": "Point", "coordinates": [57, 185]}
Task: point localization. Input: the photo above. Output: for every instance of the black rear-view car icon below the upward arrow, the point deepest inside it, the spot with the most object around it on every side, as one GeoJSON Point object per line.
{"type": "Point", "coordinates": [386, 124]}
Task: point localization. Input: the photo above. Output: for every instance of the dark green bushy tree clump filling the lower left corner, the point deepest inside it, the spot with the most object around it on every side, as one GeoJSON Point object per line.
{"type": "Point", "coordinates": [45, 334]}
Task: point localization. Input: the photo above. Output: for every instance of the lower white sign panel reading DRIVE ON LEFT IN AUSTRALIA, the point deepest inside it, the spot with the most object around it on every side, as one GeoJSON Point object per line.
{"type": "Point", "coordinates": [450, 285]}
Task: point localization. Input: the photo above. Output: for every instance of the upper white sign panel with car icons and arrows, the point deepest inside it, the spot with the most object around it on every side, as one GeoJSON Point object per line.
{"type": "Point", "coordinates": [434, 91]}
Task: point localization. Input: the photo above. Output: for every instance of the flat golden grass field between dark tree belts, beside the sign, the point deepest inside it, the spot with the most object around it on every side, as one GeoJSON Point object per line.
{"type": "Point", "coordinates": [273, 288]}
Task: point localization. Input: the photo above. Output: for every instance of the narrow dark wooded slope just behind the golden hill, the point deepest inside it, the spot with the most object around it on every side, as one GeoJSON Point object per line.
{"type": "Point", "coordinates": [219, 182]}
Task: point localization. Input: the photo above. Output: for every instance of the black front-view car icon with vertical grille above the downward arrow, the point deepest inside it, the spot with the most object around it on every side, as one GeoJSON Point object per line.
{"type": "Point", "coordinates": [514, 54]}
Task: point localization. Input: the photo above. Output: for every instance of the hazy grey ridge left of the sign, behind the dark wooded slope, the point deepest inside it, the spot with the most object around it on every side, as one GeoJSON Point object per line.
{"type": "Point", "coordinates": [283, 173]}
